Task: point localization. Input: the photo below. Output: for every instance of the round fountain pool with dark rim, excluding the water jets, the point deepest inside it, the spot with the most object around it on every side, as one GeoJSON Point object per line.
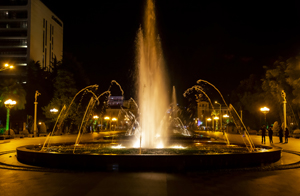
{"type": "Point", "coordinates": [103, 156]}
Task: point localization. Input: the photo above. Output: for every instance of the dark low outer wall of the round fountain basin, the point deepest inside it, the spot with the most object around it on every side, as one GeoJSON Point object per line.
{"type": "Point", "coordinates": [141, 162]}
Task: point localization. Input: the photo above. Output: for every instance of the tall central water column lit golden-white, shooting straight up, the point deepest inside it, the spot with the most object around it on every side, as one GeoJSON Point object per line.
{"type": "Point", "coordinates": [152, 93]}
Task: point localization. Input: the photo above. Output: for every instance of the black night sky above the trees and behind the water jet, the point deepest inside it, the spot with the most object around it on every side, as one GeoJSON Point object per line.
{"type": "Point", "coordinates": [222, 42]}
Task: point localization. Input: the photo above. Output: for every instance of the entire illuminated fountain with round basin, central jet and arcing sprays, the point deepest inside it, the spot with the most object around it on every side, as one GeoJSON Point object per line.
{"type": "Point", "coordinates": [156, 147]}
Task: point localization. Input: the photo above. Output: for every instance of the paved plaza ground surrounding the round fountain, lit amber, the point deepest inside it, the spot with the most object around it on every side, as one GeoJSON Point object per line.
{"type": "Point", "coordinates": [14, 181]}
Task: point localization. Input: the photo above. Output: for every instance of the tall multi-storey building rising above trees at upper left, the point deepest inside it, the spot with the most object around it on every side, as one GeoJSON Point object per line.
{"type": "Point", "coordinates": [29, 31]}
